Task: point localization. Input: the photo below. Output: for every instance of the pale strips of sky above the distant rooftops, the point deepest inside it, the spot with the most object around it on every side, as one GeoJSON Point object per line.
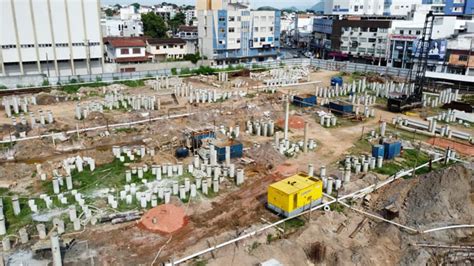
{"type": "Point", "coordinates": [254, 3]}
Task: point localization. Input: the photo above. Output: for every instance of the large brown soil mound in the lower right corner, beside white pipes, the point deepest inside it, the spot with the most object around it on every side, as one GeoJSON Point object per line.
{"type": "Point", "coordinates": [437, 199]}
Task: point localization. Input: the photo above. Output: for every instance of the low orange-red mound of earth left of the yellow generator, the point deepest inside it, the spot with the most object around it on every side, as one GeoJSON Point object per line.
{"type": "Point", "coordinates": [165, 219]}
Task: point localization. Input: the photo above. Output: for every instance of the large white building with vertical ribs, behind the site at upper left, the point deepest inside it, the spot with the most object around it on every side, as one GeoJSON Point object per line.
{"type": "Point", "coordinates": [50, 37]}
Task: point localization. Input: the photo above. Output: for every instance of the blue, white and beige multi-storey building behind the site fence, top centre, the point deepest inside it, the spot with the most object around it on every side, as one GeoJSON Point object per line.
{"type": "Point", "coordinates": [232, 33]}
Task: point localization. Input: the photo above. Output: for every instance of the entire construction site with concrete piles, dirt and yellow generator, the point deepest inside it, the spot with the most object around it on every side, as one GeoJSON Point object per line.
{"type": "Point", "coordinates": [286, 166]}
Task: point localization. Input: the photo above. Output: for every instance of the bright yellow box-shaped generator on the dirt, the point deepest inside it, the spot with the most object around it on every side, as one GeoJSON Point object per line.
{"type": "Point", "coordinates": [294, 194]}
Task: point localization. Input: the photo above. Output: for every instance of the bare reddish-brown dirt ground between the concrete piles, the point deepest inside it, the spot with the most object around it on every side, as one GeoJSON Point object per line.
{"type": "Point", "coordinates": [238, 210]}
